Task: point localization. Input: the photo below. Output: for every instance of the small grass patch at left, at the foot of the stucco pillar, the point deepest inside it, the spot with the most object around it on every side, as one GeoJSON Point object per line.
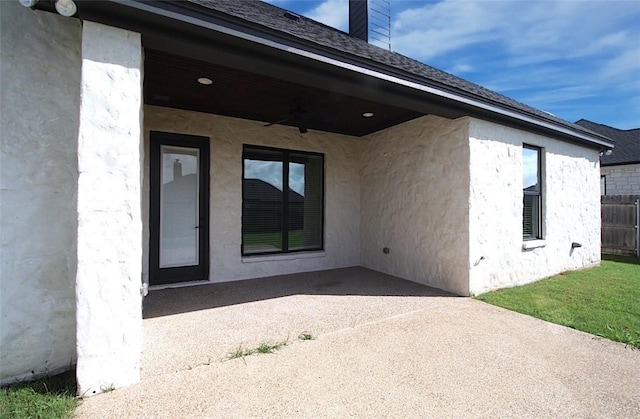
{"type": "Point", "coordinates": [47, 398]}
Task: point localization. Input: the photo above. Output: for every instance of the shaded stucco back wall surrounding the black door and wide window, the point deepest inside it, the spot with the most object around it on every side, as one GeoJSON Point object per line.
{"type": "Point", "coordinates": [342, 191]}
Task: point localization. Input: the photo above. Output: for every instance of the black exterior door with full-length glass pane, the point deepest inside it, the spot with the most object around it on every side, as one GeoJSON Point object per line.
{"type": "Point", "coordinates": [179, 208]}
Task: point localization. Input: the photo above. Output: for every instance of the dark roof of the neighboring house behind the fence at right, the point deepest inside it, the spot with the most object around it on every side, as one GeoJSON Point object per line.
{"type": "Point", "coordinates": [627, 143]}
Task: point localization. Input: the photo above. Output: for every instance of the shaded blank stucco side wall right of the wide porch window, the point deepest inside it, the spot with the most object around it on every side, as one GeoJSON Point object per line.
{"type": "Point", "coordinates": [415, 186]}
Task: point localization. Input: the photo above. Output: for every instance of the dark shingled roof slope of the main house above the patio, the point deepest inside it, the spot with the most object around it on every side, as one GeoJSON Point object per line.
{"type": "Point", "coordinates": [273, 17]}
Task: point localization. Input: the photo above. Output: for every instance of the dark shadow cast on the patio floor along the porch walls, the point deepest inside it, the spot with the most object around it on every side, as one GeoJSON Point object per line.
{"type": "Point", "coordinates": [346, 281]}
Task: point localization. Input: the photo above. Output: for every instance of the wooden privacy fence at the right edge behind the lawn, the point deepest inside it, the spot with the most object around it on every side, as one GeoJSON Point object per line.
{"type": "Point", "coordinates": [620, 224]}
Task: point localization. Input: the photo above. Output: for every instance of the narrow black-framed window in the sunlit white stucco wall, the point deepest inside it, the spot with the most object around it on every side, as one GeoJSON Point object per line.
{"type": "Point", "coordinates": [532, 193]}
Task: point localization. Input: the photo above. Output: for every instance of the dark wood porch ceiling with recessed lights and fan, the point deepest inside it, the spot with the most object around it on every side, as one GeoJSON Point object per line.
{"type": "Point", "coordinates": [171, 81]}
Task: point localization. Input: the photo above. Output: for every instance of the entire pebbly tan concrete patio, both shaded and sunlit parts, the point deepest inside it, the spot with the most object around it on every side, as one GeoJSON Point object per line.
{"type": "Point", "coordinates": [384, 347]}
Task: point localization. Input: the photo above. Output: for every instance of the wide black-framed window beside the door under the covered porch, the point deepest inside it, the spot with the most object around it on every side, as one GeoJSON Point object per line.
{"type": "Point", "coordinates": [282, 201]}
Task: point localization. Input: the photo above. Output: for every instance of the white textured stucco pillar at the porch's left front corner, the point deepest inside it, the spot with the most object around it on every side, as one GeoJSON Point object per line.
{"type": "Point", "coordinates": [108, 281]}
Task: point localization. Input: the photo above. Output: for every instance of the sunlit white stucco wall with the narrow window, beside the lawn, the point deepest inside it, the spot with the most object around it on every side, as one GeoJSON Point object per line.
{"type": "Point", "coordinates": [571, 208]}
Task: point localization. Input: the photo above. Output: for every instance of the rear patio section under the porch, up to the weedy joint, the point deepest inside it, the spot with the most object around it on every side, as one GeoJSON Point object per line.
{"type": "Point", "coordinates": [209, 321]}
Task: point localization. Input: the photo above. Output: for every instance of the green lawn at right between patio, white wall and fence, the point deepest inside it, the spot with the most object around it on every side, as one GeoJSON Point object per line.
{"type": "Point", "coordinates": [604, 301]}
